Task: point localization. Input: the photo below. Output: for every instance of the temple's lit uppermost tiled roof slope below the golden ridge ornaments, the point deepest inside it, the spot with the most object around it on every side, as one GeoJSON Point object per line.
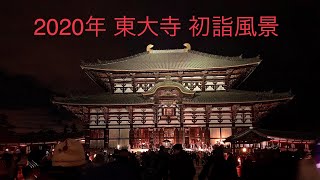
{"type": "Point", "coordinates": [174, 59]}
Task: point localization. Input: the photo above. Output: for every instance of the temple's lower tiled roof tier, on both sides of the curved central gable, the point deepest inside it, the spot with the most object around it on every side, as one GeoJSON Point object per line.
{"type": "Point", "coordinates": [234, 96]}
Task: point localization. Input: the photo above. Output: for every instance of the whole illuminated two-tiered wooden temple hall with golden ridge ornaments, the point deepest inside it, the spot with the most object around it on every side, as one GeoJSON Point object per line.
{"type": "Point", "coordinates": [177, 95]}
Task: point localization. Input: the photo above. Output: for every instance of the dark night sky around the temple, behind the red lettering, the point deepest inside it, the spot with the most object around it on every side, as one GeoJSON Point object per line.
{"type": "Point", "coordinates": [35, 68]}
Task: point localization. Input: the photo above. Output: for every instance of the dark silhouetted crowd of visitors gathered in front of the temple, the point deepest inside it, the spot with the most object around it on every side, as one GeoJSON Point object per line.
{"type": "Point", "coordinates": [69, 160]}
